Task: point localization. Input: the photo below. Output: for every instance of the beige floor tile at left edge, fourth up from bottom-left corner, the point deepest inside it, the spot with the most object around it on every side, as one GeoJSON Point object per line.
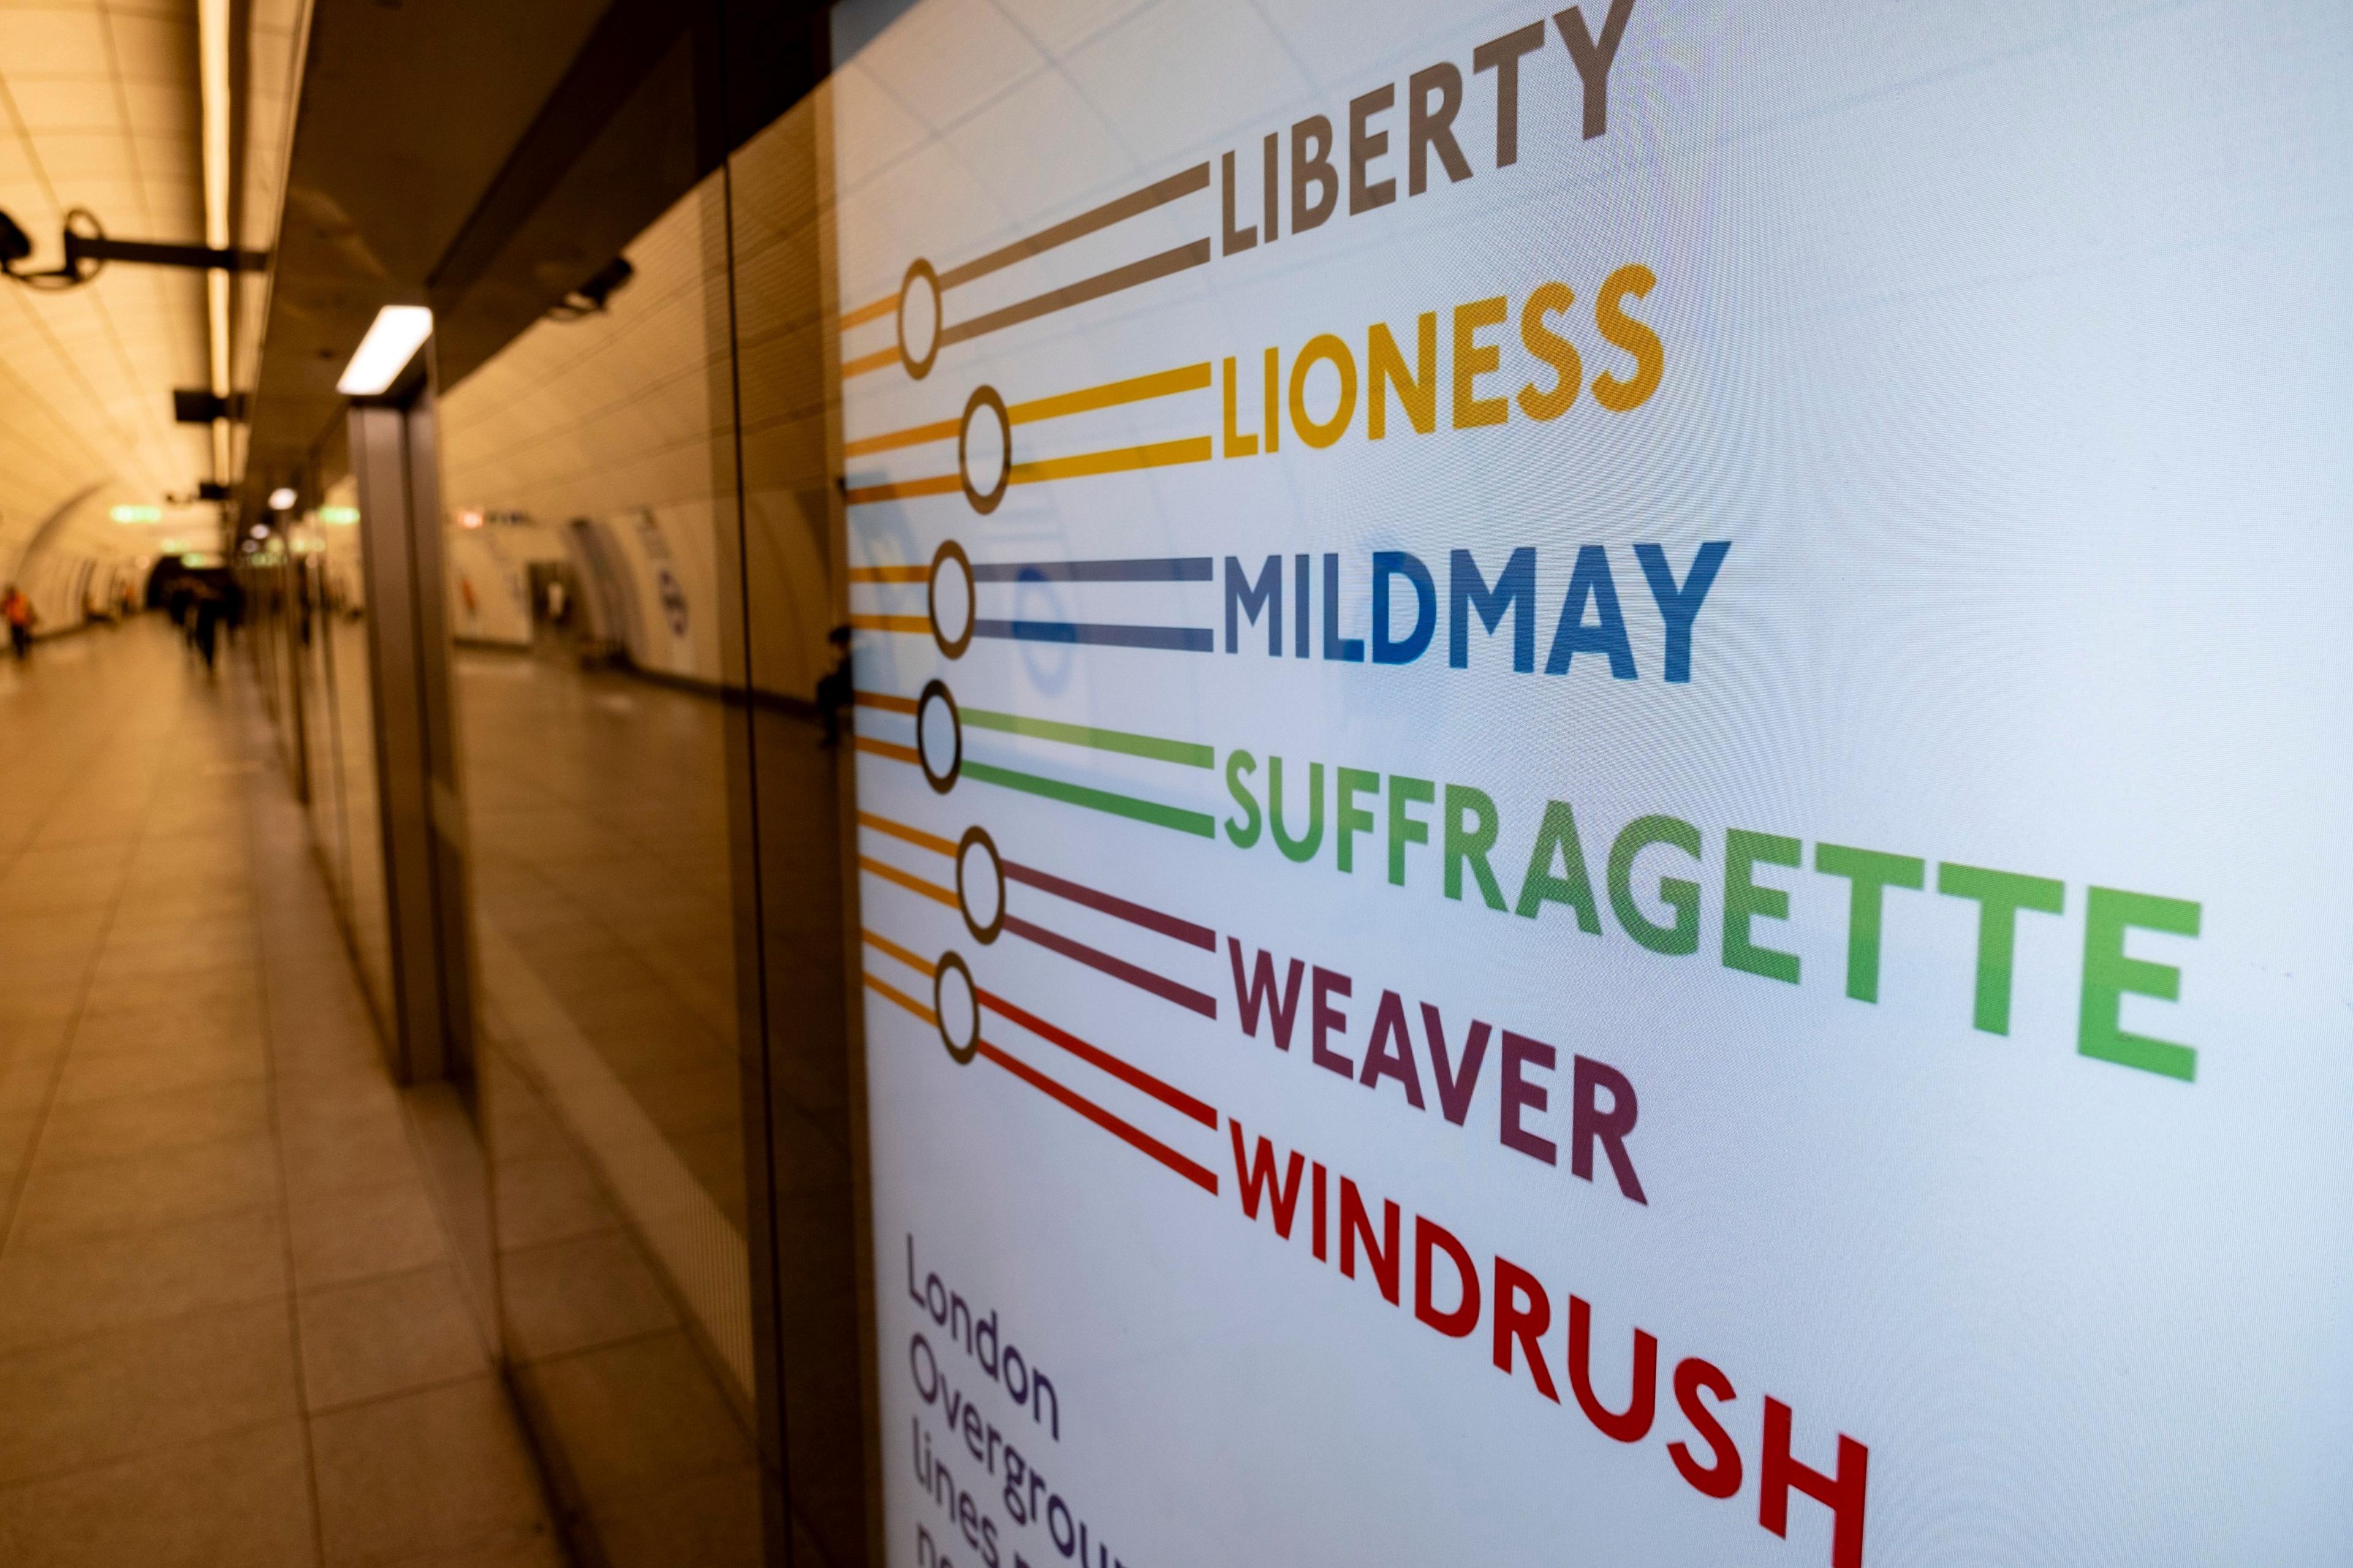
{"type": "Point", "coordinates": [168, 1188]}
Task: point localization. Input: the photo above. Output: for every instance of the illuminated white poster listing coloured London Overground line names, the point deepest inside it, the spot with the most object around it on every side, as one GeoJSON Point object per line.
{"type": "Point", "coordinates": [1601, 778]}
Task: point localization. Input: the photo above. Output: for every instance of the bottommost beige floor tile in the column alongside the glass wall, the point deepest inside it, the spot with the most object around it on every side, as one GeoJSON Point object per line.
{"type": "Point", "coordinates": [425, 1473]}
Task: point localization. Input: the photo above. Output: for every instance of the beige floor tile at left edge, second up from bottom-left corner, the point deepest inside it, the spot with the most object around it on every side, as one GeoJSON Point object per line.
{"type": "Point", "coordinates": [124, 1393]}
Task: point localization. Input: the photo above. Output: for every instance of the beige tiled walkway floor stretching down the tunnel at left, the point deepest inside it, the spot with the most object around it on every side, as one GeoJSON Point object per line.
{"type": "Point", "coordinates": [232, 1329]}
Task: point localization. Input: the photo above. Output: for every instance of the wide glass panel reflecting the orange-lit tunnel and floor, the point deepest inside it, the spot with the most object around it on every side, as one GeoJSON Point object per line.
{"type": "Point", "coordinates": [589, 521]}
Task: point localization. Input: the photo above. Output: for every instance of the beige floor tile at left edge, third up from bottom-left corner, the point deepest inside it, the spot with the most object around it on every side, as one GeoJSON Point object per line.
{"type": "Point", "coordinates": [58, 1294]}
